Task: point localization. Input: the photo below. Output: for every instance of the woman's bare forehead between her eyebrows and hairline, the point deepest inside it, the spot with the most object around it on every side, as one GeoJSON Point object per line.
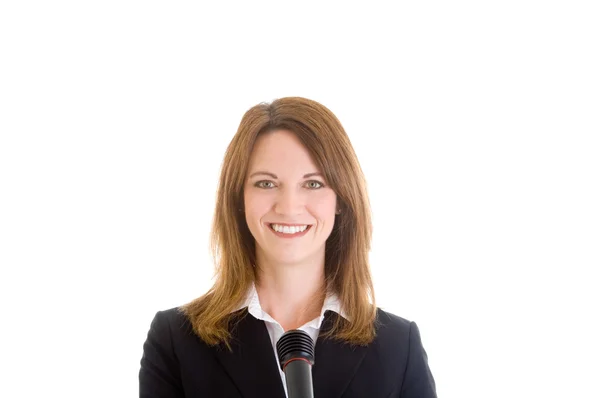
{"type": "Point", "coordinates": [281, 150]}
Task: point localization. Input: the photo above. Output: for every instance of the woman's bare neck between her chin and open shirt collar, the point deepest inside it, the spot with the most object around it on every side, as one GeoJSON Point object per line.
{"type": "Point", "coordinates": [292, 294]}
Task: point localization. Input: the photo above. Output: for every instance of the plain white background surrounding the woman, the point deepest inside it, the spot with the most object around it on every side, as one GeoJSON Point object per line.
{"type": "Point", "coordinates": [476, 123]}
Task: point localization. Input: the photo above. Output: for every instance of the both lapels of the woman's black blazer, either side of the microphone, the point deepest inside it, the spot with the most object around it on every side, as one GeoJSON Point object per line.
{"type": "Point", "coordinates": [253, 367]}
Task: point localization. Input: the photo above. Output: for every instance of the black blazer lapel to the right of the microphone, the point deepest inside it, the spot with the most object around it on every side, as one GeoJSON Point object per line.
{"type": "Point", "coordinates": [335, 363]}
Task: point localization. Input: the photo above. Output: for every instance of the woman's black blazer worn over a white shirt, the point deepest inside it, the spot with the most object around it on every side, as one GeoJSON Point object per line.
{"type": "Point", "coordinates": [177, 364]}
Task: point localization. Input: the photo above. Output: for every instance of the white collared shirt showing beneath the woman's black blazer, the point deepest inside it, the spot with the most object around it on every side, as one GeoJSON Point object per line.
{"type": "Point", "coordinates": [275, 330]}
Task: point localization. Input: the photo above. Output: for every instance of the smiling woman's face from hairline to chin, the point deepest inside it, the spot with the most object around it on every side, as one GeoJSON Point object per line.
{"type": "Point", "coordinates": [289, 209]}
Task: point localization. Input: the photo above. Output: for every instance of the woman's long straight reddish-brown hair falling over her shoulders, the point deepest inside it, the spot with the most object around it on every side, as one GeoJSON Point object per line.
{"type": "Point", "coordinates": [346, 250]}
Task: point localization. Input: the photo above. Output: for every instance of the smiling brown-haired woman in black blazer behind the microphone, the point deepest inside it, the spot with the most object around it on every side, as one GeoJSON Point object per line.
{"type": "Point", "coordinates": [291, 237]}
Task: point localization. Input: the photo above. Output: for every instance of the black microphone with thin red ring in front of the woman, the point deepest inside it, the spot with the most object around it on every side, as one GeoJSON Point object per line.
{"type": "Point", "coordinates": [296, 352]}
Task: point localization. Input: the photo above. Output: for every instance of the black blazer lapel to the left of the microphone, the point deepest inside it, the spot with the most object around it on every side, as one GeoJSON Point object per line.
{"type": "Point", "coordinates": [252, 365]}
